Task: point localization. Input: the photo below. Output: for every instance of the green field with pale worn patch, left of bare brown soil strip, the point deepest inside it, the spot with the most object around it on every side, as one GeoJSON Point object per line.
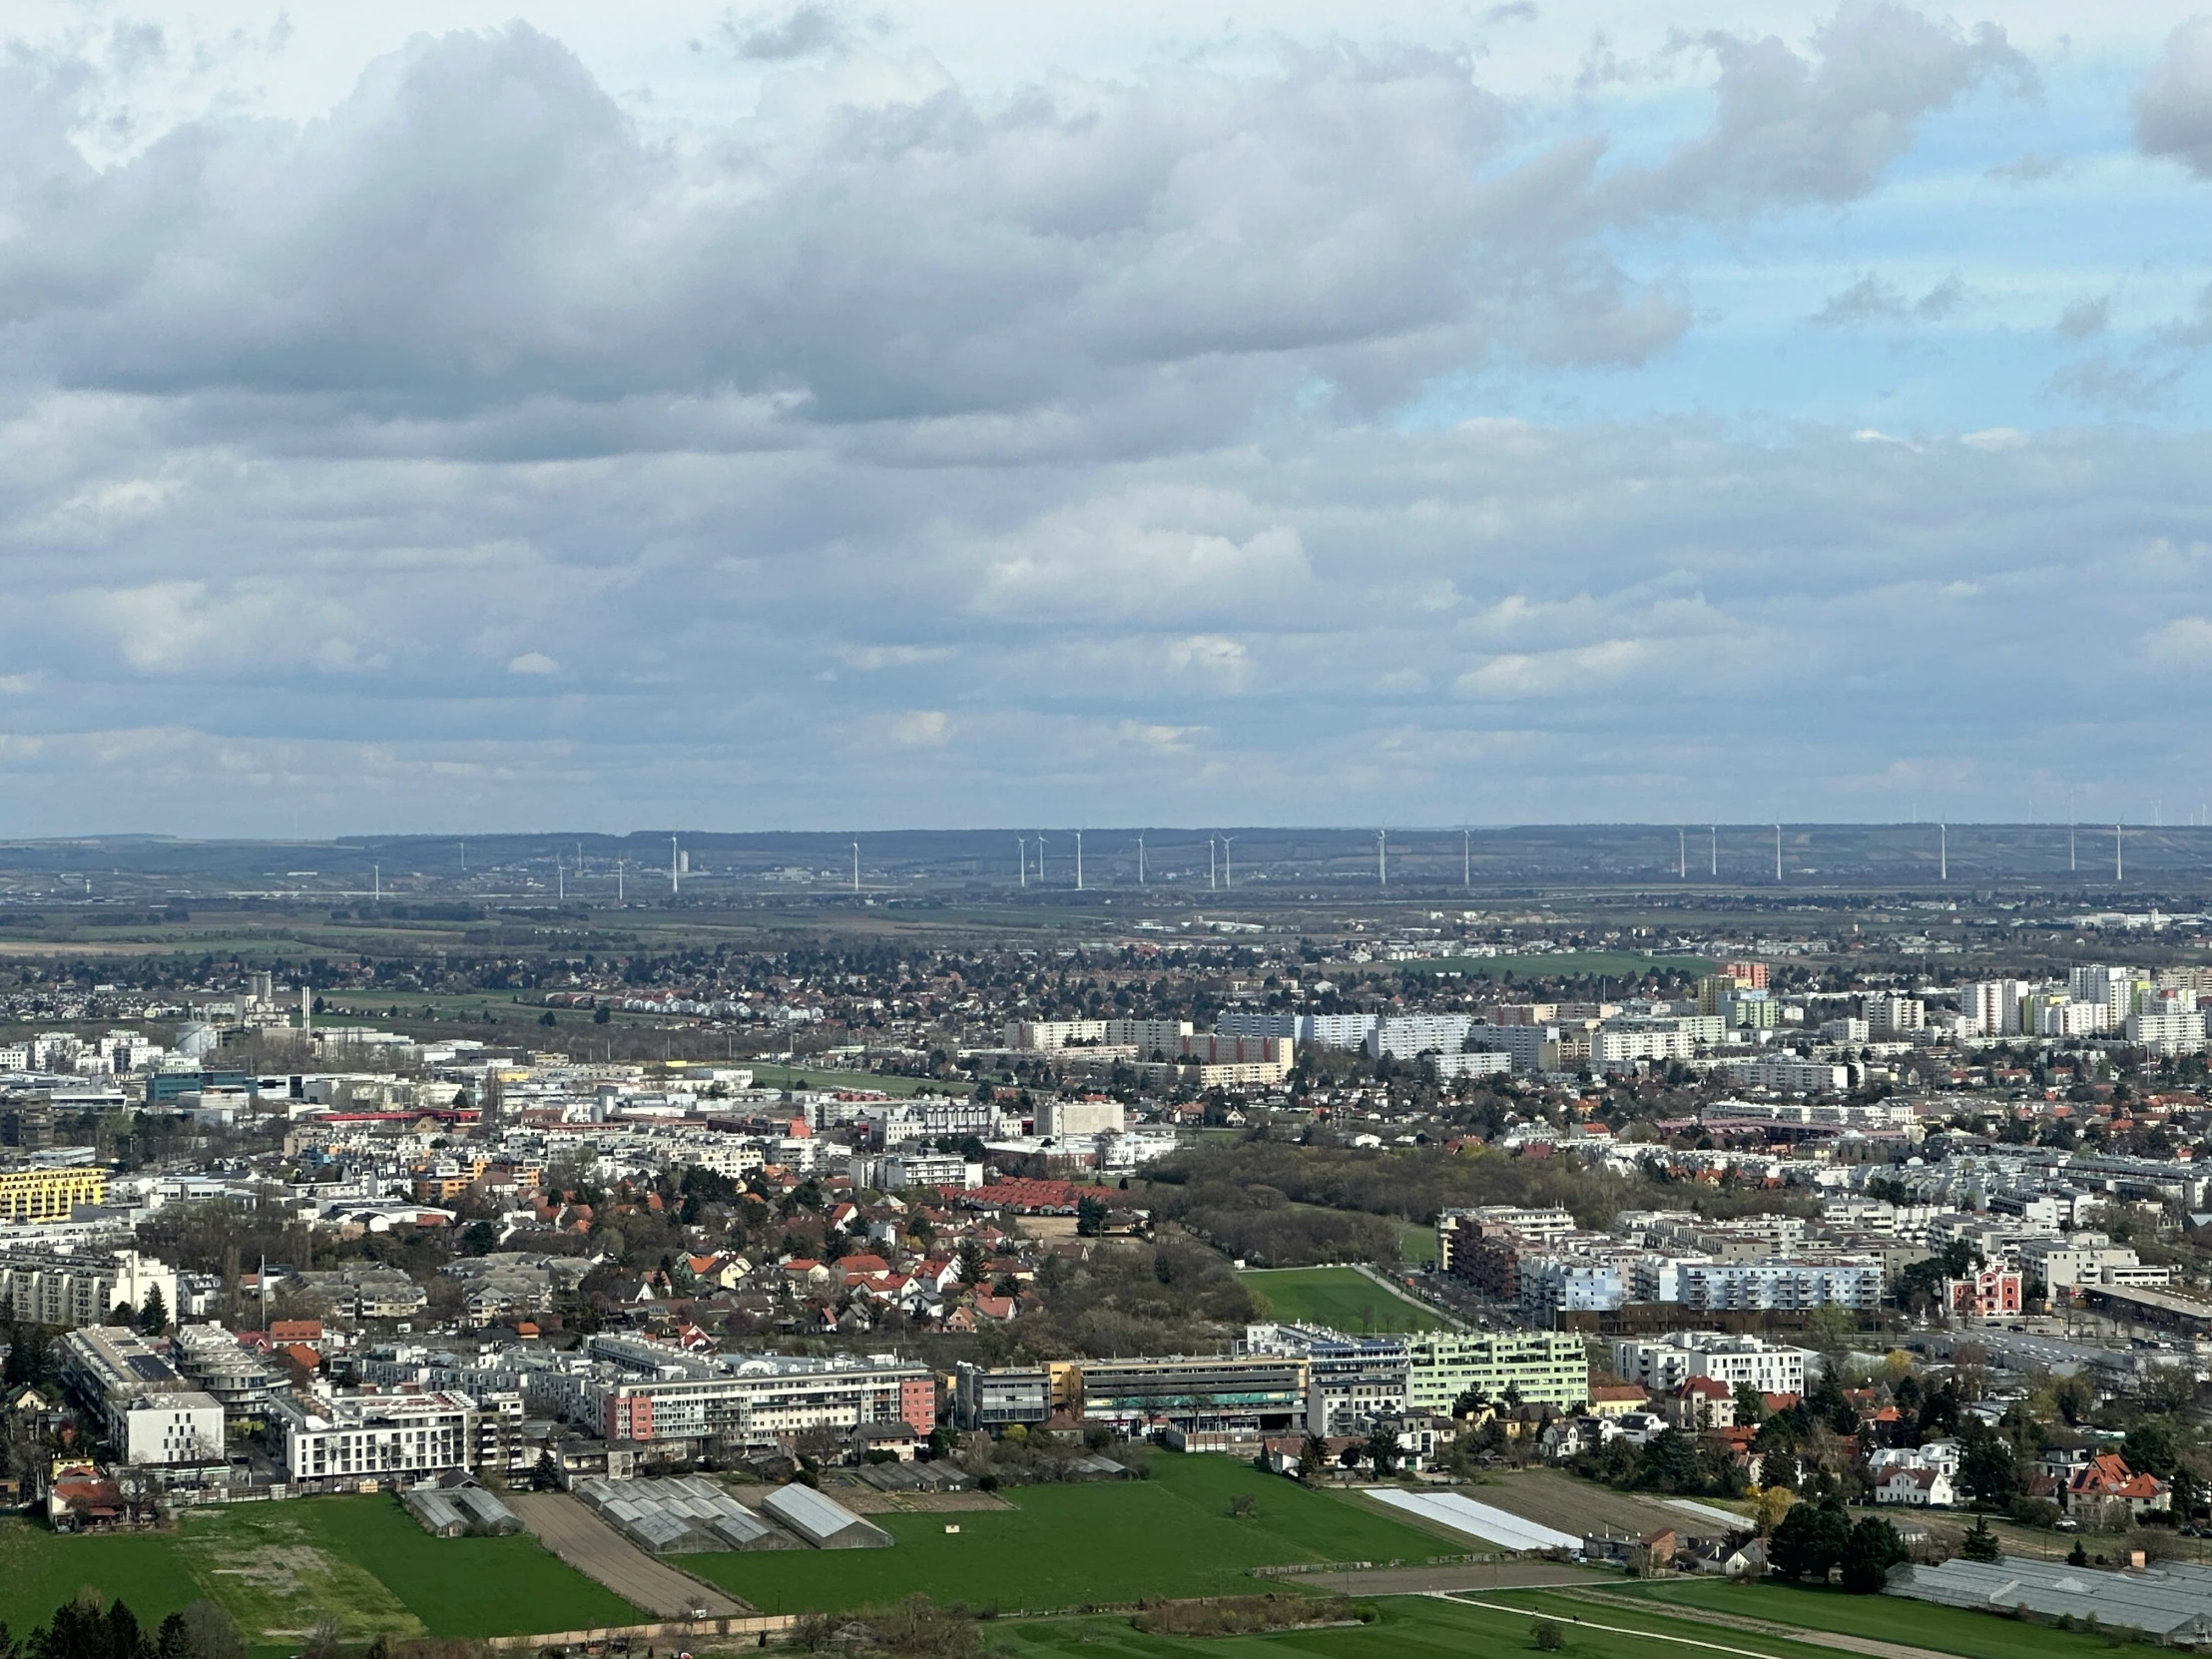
{"type": "Point", "coordinates": [280, 1569]}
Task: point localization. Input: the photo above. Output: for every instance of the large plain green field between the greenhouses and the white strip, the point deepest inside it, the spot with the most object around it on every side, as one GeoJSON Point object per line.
{"type": "Point", "coordinates": [1063, 1547]}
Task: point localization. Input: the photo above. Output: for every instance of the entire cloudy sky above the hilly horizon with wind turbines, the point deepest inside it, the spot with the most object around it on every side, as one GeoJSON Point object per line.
{"type": "Point", "coordinates": [448, 417]}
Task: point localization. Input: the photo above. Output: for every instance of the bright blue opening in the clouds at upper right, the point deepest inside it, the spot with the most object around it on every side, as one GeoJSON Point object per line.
{"type": "Point", "coordinates": [1930, 306]}
